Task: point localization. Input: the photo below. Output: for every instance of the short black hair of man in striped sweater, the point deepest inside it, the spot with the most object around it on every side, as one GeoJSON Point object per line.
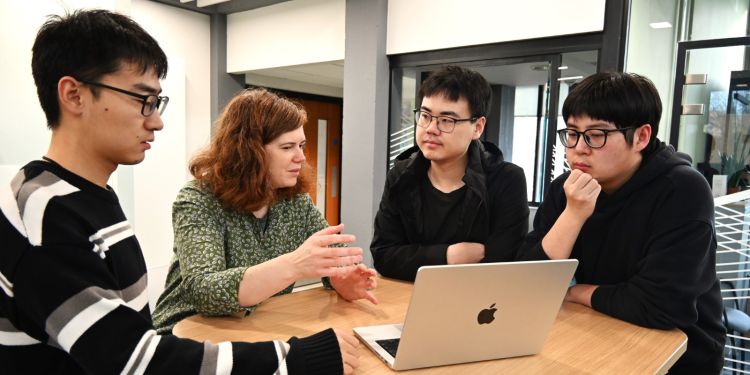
{"type": "Point", "coordinates": [86, 45]}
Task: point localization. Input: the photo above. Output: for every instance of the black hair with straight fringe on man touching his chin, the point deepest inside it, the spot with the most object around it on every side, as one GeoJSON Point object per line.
{"type": "Point", "coordinates": [624, 99]}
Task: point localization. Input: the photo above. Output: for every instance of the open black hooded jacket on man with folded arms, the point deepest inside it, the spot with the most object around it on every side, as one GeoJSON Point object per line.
{"type": "Point", "coordinates": [494, 212]}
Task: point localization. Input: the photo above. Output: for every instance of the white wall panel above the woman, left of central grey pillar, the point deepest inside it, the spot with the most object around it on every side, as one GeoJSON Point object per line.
{"type": "Point", "coordinates": [290, 33]}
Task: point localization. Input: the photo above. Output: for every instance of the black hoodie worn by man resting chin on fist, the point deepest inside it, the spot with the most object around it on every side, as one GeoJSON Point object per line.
{"type": "Point", "coordinates": [651, 248]}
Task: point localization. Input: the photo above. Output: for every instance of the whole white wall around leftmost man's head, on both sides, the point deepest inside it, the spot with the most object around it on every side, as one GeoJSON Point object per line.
{"type": "Point", "coordinates": [147, 190]}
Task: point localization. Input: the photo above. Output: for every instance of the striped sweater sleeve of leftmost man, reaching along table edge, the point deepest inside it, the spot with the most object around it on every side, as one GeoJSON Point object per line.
{"type": "Point", "coordinates": [78, 308]}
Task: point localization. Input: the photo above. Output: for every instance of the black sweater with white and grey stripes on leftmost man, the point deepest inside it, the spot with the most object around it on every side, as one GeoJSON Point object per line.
{"type": "Point", "coordinates": [74, 300]}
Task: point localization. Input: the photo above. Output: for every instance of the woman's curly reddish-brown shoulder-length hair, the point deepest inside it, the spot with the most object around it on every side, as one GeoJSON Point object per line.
{"type": "Point", "coordinates": [234, 166]}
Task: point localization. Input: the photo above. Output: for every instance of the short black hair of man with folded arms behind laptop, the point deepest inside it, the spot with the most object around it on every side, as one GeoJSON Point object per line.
{"type": "Point", "coordinates": [455, 82]}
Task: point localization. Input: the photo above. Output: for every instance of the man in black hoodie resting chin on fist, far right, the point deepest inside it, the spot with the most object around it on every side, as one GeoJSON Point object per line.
{"type": "Point", "coordinates": [636, 215]}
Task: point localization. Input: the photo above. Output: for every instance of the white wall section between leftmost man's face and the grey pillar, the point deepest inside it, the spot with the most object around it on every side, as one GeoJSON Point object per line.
{"type": "Point", "coordinates": [185, 38]}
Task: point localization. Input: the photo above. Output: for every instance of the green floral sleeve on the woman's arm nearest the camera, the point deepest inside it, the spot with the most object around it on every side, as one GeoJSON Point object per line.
{"type": "Point", "coordinates": [199, 238]}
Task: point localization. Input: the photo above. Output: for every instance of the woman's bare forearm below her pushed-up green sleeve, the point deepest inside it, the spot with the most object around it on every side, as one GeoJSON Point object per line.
{"type": "Point", "coordinates": [262, 281]}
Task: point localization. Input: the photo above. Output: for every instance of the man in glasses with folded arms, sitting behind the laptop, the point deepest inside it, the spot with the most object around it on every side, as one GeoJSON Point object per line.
{"type": "Point", "coordinates": [451, 199]}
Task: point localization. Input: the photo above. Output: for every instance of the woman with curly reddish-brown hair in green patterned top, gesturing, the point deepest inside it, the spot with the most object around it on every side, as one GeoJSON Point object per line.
{"type": "Point", "coordinates": [245, 229]}
